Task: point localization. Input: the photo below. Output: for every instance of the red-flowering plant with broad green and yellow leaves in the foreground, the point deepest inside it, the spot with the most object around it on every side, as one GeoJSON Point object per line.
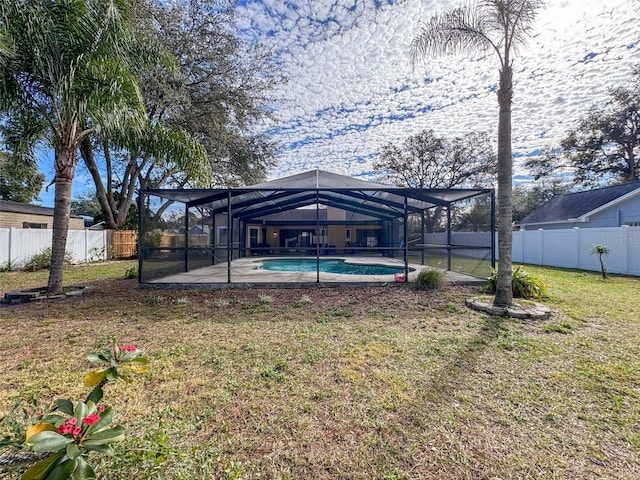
{"type": "Point", "coordinates": [61, 439]}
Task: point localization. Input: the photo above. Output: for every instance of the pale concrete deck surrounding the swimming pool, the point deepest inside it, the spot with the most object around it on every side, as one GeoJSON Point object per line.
{"type": "Point", "coordinates": [247, 272]}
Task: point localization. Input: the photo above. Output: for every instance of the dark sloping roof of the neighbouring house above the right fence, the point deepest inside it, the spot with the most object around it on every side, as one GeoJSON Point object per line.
{"type": "Point", "coordinates": [579, 206]}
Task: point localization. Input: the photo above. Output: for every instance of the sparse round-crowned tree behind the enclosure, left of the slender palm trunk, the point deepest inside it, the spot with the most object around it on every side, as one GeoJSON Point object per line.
{"type": "Point", "coordinates": [425, 160]}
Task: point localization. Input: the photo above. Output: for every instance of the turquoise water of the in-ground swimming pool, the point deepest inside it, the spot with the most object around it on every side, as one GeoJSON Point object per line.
{"type": "Point", "coordinates": [329, 266]}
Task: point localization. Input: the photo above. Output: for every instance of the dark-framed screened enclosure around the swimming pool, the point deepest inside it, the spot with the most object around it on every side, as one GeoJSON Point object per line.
{"type": "Point", "coordinates": [314, 227]}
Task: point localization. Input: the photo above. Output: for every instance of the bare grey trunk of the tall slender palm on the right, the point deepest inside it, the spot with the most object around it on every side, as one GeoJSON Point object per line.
{"type": "Point", "coordinates": [504, 293]}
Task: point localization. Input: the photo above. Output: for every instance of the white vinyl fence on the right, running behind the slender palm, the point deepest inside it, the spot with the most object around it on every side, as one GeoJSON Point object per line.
{"type": "Point", "coordinates": [569, 248]}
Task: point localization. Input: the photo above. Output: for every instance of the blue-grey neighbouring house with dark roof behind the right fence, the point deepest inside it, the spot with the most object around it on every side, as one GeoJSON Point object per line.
{"type": "Point", "coordinates": [603, 207]}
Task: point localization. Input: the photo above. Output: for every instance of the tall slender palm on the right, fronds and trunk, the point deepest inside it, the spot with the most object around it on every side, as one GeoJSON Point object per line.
{"type": "Point", "coordinates": [488, 26]}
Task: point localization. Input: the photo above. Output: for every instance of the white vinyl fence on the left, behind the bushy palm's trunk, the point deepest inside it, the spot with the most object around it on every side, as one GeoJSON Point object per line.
{"type": "Point", "coordinates": [18, 245]}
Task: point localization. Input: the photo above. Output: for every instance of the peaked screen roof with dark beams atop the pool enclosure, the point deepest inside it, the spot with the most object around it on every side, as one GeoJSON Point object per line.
{"type": "Point", "coordinates": [317, 186]}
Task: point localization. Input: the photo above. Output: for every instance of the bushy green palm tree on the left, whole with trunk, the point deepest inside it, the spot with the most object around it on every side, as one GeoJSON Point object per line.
{"type": "Point", "coordinates": [68, 74]}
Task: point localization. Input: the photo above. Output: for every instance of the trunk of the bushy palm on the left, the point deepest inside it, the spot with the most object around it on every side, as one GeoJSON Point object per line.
{"type": "Point", "coordinates": [65, 163]}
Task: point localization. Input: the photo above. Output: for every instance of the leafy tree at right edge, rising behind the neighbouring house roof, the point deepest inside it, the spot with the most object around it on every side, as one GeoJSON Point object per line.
{"type": "Point", "coordinates": [605, 146]}
